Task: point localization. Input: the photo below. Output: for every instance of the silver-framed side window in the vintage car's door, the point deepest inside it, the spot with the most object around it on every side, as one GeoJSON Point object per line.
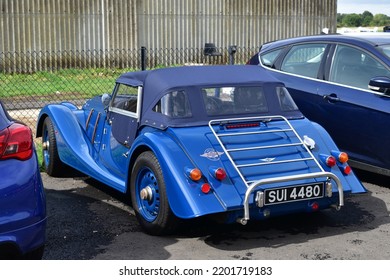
{"type": "Point", "coordinates": [125, 98]}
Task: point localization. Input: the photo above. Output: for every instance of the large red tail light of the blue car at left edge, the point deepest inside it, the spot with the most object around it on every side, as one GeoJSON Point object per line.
{"type": "Point", "coordinates": [16, 142]}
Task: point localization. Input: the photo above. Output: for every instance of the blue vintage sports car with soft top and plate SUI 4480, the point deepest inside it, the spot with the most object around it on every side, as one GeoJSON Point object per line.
{"type": "Point", "coordinates": [201, 140]}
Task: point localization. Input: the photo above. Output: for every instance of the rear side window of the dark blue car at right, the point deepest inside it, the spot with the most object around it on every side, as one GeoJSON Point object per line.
{"type": "Point", "coordinates": [304, 60]}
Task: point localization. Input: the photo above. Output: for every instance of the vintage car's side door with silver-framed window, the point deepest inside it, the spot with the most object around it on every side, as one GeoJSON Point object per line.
{"type": "Point", "coordinates": [121, 128]}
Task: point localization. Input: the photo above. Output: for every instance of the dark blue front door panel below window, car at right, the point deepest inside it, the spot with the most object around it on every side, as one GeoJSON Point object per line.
{"type": "Point", "coordinates": [351, 116]}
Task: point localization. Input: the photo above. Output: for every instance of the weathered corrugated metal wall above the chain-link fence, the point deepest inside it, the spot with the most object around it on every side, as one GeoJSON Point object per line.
{"type": "Point", "coordinates": [58, 25]}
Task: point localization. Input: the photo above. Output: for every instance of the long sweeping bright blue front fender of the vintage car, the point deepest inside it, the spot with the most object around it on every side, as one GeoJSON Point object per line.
{"type": "Point", "coordinates": [73, 145]}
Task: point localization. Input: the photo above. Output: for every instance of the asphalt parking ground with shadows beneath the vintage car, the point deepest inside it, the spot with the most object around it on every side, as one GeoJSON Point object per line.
{"type": "Point", "coordinates": [88, 221]}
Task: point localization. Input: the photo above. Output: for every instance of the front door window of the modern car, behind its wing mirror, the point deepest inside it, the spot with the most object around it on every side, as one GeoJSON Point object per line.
{"type": "Point", "coordinates": [355, 67]}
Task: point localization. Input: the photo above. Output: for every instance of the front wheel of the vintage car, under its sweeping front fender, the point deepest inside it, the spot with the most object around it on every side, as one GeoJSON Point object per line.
{"type": "Point", "coordinates": [52, 163]}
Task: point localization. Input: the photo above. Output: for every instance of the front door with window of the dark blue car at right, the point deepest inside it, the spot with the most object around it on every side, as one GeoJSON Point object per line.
{"type": "Point", "coordinates": [356, 117]}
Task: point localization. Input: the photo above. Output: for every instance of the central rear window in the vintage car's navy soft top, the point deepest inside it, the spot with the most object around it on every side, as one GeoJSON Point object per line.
{"type": "Point", "coordinates": [234, 100]}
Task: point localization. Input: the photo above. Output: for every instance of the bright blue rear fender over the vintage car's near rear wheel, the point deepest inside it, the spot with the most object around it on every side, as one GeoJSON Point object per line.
{"type": "Point", "coordinates": [184, 196]}
